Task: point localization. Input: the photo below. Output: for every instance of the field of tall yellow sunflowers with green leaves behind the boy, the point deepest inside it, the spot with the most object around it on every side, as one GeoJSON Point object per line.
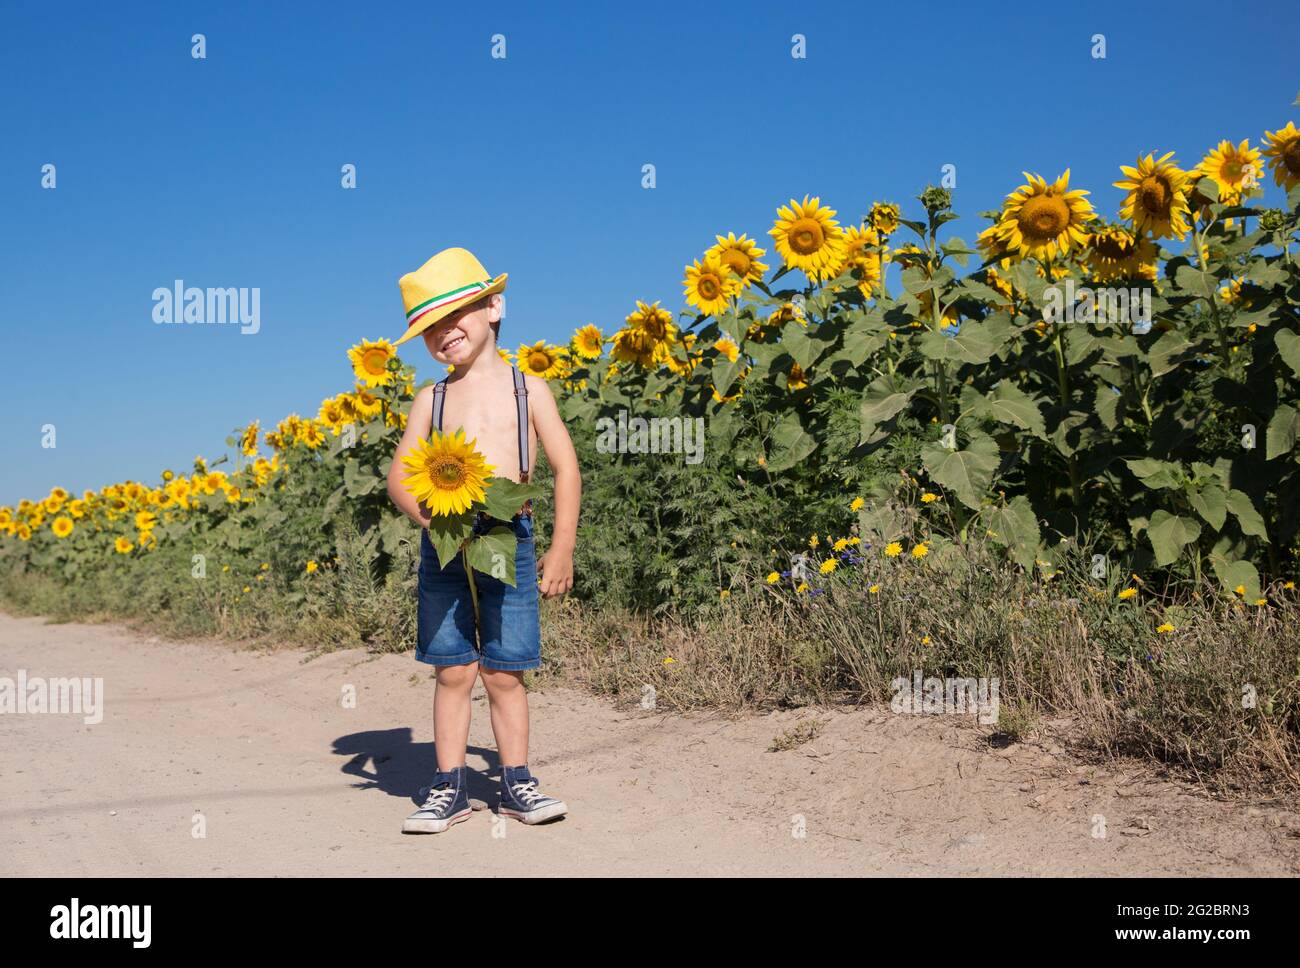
{"type": "Point", "coordinates": [1061, 380]}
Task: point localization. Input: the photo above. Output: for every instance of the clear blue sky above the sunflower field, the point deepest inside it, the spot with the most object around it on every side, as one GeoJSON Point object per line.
{"type": "Point", "coordinates": [226, 172]}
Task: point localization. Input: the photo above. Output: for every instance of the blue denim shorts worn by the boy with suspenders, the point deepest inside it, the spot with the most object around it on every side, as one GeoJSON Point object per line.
{"type": "Point", "coordinates": [510, 635]}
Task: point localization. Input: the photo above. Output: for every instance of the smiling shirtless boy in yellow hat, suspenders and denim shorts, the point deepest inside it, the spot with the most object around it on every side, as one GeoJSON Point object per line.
{"type": "Point", "coordinates": [454, 305]}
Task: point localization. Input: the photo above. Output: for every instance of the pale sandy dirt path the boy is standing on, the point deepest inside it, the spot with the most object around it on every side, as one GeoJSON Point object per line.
{"type": "Point", "coordinates": [291, 783]}
